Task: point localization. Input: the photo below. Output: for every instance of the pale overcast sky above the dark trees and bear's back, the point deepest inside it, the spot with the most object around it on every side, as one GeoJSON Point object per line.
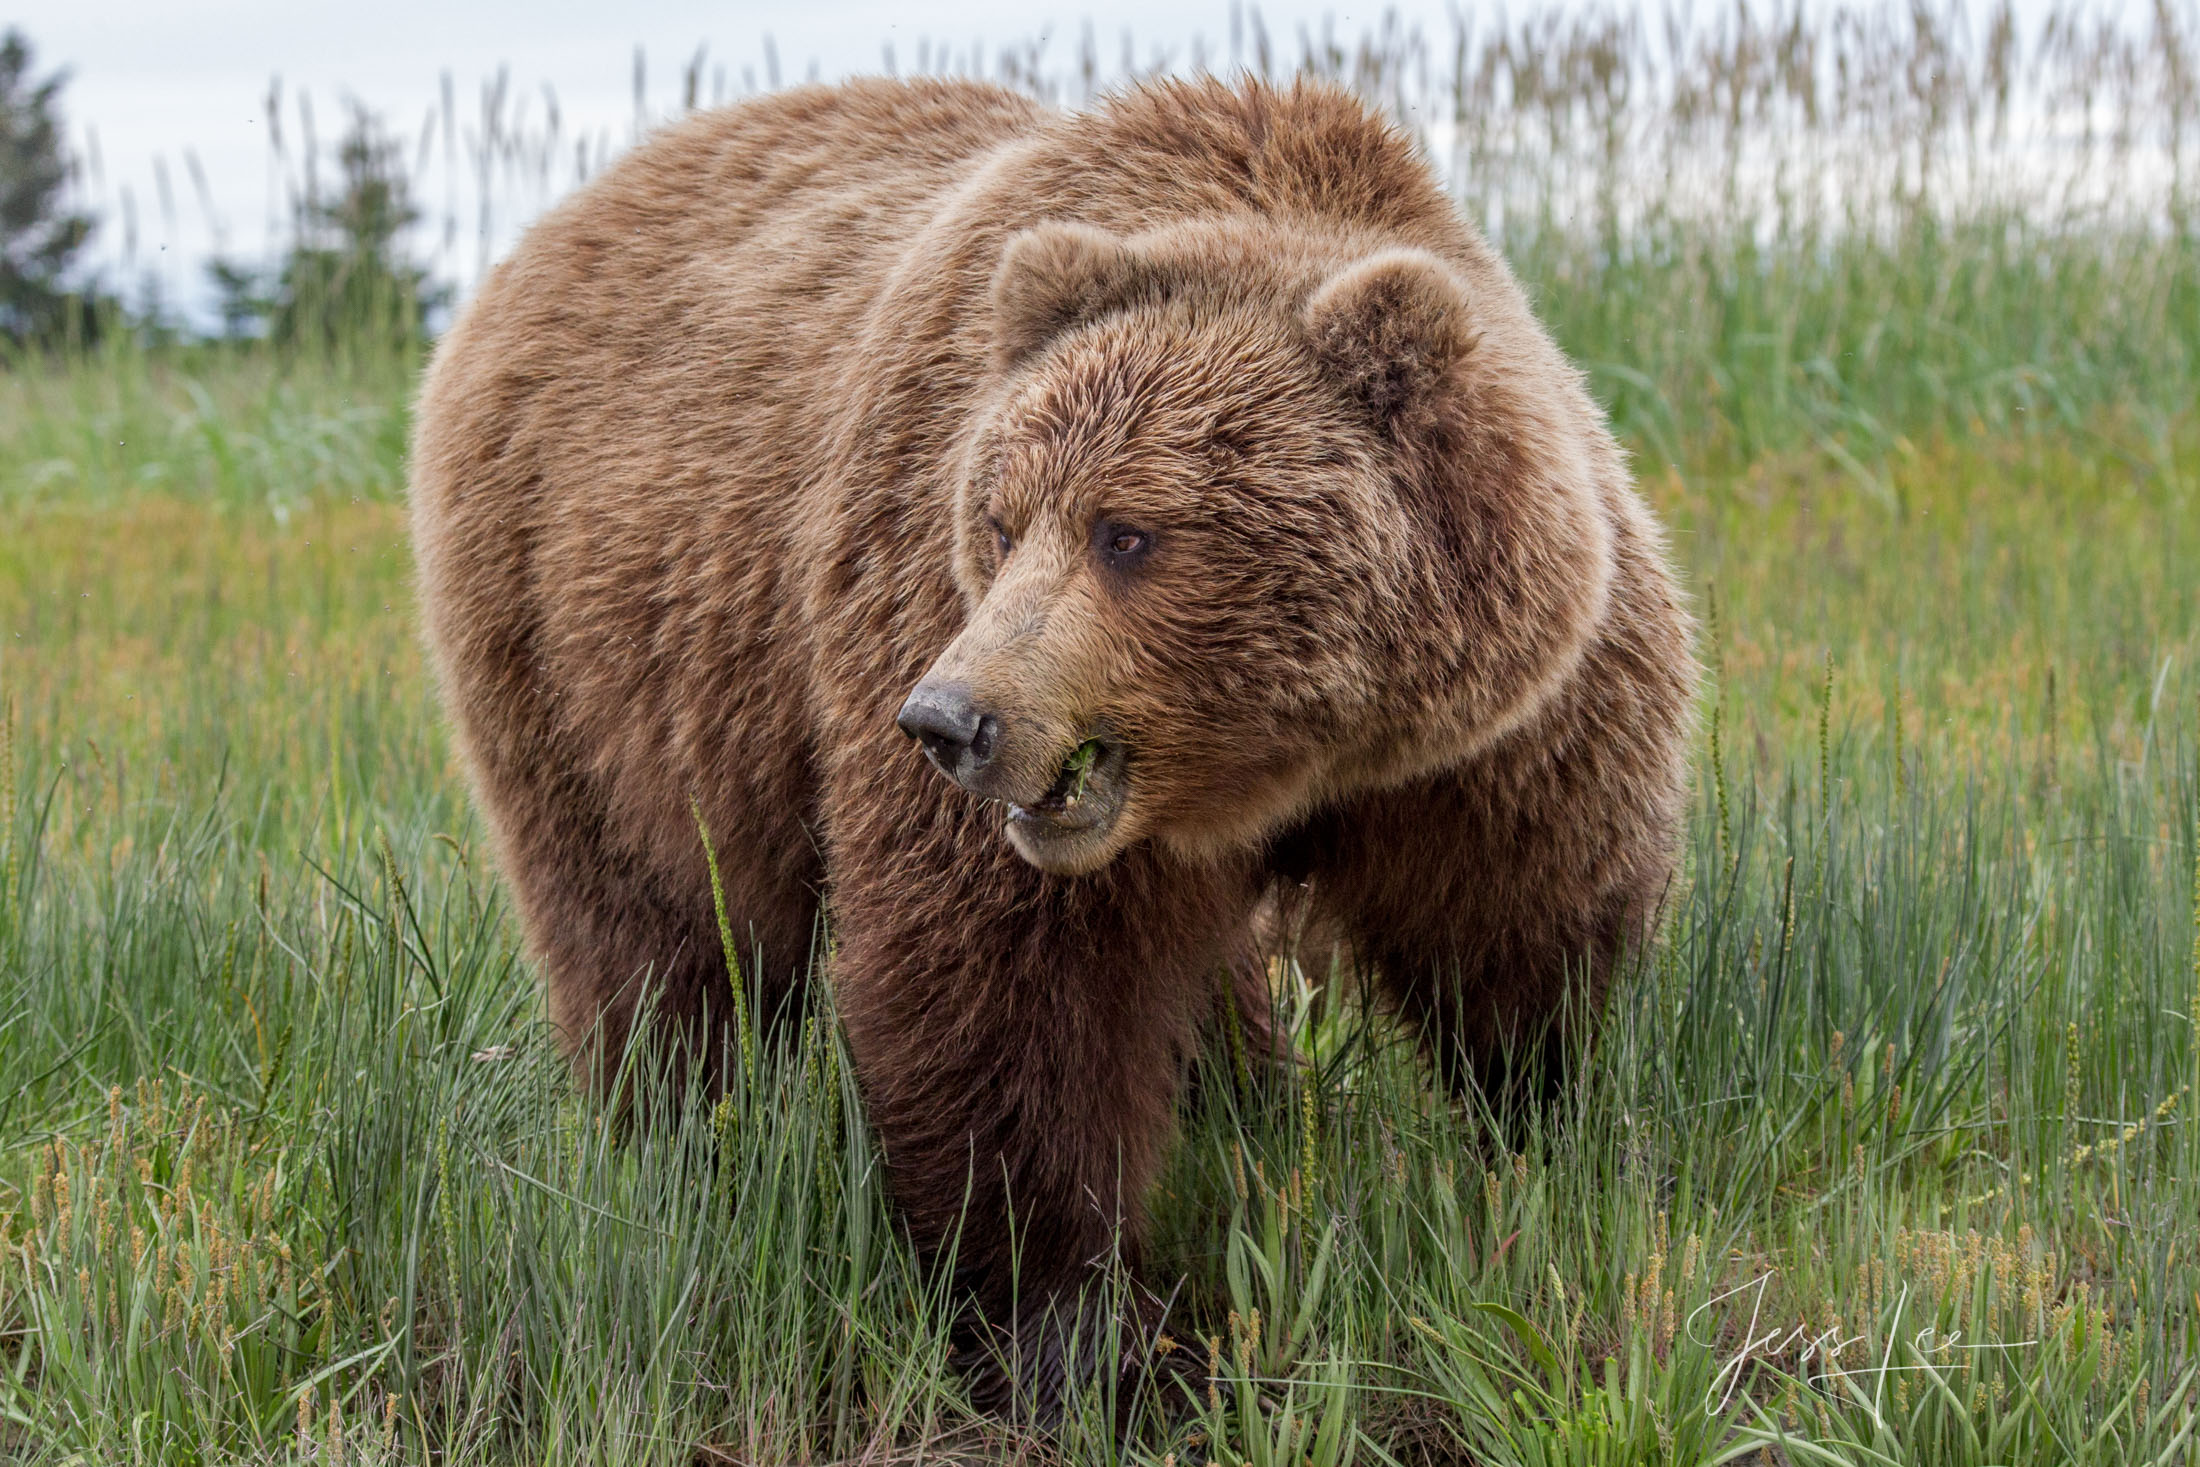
{"type": "Point", "coordinates": [155, 82]}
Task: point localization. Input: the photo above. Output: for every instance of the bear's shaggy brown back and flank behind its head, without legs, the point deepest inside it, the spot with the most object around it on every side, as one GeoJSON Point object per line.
{"type": "Point", "coordinates": [683, 472]}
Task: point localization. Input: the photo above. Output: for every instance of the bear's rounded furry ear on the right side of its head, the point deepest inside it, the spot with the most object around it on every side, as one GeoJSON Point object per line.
{"type": "Point", "coordinates": [1389, 329]}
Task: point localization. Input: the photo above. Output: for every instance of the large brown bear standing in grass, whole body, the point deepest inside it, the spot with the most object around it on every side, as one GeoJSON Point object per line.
{"type": "Point", "coordinates": [1037, 540]}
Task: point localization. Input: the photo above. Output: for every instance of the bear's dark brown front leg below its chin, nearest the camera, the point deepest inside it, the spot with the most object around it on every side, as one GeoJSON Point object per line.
{"type": "Point", "coordinates": [1020, 1041]}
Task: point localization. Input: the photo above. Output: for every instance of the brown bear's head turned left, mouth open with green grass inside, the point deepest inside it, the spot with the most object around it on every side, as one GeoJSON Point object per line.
{"type": "Point", "coordinates": [1255, 518]}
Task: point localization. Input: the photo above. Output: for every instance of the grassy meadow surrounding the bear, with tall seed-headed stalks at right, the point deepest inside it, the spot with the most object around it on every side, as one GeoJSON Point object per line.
{"type": "Point", "coordinates": [1886, 1154]}
